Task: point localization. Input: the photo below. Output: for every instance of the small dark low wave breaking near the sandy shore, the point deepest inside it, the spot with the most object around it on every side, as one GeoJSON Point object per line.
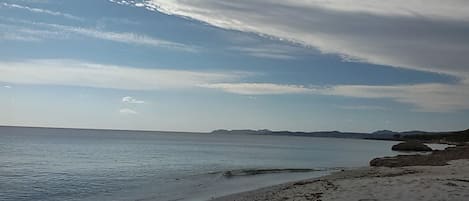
{"type": "Point", "coordinates": [253, 172]}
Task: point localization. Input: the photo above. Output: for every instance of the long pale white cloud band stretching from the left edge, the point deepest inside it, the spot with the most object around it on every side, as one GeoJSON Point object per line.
{"type": "Point", "coordinates": [78, 73]}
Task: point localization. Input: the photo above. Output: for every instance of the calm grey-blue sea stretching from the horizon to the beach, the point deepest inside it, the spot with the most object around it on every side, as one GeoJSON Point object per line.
{"type": "Point", "coordinates": [65, 164]}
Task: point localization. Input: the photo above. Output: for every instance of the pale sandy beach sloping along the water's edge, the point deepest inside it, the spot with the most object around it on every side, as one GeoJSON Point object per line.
{"type": "Point", "coordinates": [425, 183]}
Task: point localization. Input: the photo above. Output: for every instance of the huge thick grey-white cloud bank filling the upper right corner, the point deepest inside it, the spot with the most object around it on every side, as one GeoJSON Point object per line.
{"type": "Point", "coordinates": [427, 35]}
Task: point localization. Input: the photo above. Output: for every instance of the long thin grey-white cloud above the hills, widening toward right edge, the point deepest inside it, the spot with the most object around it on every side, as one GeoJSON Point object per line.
{"type": "Point", "coordinates": [426, 97]}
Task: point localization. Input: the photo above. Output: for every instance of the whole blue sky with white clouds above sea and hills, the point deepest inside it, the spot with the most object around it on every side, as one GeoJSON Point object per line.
{"type": "Point", "coordinates": [200, 65]}
